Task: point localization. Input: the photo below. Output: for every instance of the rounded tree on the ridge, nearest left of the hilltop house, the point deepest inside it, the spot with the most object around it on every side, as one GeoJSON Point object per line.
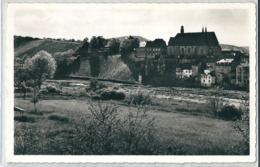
{"type": "Point", "coordinates": [128, 45]}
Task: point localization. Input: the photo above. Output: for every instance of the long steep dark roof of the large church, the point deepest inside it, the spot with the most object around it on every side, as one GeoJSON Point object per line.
{"type": "Point", "coordinates": [194, 39]}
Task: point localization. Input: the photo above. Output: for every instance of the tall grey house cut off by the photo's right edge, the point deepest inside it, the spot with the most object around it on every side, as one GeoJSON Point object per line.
{"type": "Point", "coordinates": [242, 75]}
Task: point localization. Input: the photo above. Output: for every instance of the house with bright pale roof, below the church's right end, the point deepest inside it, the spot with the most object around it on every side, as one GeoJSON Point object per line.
{"type": "Point", "coordinates": [225, 70]}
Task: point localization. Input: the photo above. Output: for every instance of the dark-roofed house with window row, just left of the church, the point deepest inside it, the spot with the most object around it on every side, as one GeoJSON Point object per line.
{"type": "Point", "coordinates": [155, 48]}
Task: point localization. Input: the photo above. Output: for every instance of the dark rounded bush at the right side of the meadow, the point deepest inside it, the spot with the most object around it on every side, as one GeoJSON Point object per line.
{"type": "Point", "coordinates": [230, 113]}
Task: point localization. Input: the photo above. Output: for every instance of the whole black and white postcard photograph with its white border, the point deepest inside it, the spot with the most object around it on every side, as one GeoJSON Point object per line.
{"type": "Point", "coordinates": [133, 79]}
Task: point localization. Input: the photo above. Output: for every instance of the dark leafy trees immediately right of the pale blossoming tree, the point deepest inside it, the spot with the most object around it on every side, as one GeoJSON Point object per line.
{"type": "Point", "coordinates": [65, 62]}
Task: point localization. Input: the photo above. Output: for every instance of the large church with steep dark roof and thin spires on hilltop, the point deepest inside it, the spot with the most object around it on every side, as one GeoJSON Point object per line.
{"type": "Point", "coordinates": [195, 45]}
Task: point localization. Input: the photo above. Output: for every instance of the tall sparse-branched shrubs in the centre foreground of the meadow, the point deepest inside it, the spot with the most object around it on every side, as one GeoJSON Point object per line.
{"type": "Point", "coordinates": [103, 133]}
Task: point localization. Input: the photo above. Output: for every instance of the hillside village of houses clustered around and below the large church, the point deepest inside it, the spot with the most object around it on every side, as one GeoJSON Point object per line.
{"type": "Point", "coordinates": [197, 55]}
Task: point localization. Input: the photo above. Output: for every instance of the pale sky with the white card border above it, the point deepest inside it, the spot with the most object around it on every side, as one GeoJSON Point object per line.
{"type": "Point", "coordinates": [231, 23]}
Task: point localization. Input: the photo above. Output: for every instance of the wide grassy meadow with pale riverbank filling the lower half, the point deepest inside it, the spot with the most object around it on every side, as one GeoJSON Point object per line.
{"type": "Point", "coordinates": [182, 122]}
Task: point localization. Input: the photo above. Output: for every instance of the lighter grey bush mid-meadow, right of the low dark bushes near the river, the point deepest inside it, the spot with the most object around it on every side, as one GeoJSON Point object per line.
{"type": "Point", "coordinates": [140, 98]}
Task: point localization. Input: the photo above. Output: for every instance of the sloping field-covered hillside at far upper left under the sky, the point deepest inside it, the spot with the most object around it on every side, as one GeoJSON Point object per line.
{"type": "Point", "coordinates": [30, 46]}
